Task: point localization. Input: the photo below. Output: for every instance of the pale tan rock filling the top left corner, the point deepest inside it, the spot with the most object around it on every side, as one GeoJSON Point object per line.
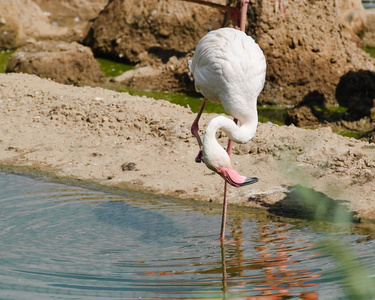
{"type": "Point", "coordinates": [22, 21]}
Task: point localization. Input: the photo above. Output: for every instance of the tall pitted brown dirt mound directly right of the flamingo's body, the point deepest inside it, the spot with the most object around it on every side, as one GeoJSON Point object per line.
{"type": "Point", "coordinates": [305, 51]}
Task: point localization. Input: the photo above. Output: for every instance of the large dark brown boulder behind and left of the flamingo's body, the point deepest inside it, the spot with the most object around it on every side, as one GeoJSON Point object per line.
{"type": "Point", "coordinates": [162, 28]}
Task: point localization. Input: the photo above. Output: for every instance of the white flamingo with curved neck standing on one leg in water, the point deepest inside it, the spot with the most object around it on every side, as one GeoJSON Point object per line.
{"type": "Point", "coordinates": [228, 67]}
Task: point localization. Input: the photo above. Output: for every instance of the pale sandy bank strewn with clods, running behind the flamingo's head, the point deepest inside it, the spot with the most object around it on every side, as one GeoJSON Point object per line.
{"type": "Point", "coordinates": [120, 140]}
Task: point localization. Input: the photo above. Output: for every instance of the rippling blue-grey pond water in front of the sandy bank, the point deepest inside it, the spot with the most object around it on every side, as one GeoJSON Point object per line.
{"type": "Point", "coordinates": [68, 242]}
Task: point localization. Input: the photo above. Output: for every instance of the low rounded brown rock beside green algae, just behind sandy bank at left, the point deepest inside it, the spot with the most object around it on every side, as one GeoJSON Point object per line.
{"type": "Point", "coordinates": [69, 63]}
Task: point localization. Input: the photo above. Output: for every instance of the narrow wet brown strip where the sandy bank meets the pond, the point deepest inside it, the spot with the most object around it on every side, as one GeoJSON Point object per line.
{"type": "Point", "coordinates": [365, 227]}
